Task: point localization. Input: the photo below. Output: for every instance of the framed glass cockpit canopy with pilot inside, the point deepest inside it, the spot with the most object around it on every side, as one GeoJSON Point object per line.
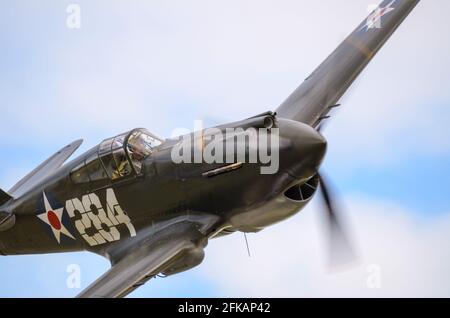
{"type": "Point", "coordinates": [117, 157]}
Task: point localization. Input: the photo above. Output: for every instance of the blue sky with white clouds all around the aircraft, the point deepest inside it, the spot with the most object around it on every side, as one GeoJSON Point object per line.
{"type": "Point", "coordinates": [164, 64]}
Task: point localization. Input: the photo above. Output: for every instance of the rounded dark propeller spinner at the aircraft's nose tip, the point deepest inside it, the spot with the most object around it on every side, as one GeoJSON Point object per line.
{"type": "Point", "coordinates": [308, 148]}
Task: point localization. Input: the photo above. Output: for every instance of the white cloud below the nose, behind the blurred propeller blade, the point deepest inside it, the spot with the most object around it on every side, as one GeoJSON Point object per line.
{"type": "Point", "coordinates": [288, 260]}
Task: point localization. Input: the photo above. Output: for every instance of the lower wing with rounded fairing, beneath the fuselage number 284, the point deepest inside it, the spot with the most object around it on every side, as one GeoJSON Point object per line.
{"type": "Point", "coordinates": [167, 249]}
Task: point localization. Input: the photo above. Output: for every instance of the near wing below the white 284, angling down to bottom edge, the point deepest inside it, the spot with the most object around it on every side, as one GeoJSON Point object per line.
{"type": "Point", "coordinates": [147, 257]}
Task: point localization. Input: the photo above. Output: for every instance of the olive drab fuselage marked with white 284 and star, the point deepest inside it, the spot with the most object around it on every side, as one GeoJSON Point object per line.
{"type": "Point", "coordinates": [104, 211]}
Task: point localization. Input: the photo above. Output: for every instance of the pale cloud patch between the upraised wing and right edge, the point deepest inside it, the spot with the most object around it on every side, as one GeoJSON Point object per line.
{"type": "Point", "coordinates": [398, 107]}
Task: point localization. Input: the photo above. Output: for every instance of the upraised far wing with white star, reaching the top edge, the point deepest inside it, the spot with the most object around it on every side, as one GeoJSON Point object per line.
{"type": "Point", "coordinates": [319, 93]}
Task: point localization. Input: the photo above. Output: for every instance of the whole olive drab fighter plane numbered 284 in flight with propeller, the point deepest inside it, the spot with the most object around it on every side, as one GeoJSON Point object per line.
{"type": "Point", "coordinates": [128, 200]}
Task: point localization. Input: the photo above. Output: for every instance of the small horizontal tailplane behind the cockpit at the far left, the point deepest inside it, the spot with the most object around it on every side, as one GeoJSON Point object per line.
{"type": "Point", "coordinates": [43, 170]}
